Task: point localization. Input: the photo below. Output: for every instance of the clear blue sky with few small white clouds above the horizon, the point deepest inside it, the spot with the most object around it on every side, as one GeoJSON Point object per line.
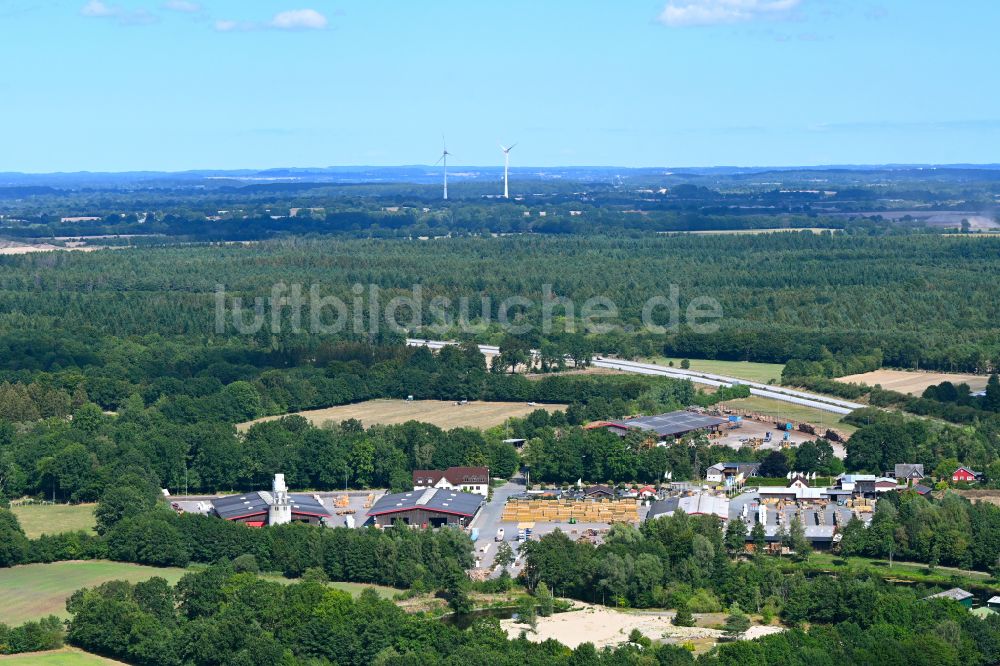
{"type": "Point", "coordinates": [187, 84]}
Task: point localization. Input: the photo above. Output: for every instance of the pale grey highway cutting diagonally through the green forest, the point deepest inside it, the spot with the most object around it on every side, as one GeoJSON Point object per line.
{"type": "Point", "coordinates": [791, 396]}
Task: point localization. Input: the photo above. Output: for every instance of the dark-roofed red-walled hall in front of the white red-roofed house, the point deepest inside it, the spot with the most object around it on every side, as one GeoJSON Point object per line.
{"type": "Point", "coordinates": [428, 507]}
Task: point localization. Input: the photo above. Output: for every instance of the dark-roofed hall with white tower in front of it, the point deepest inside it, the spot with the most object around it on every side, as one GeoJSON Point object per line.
{"type": "Point", "coordinates": [271, 508]}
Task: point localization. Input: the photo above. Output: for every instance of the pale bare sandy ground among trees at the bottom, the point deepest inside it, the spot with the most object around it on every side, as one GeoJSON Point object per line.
{"type": "Point", "coordinates": [604, 626]}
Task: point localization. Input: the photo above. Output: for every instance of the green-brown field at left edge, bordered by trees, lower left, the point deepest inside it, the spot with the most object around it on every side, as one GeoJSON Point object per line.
{"type": "Point", "coordinates": [32, 591]}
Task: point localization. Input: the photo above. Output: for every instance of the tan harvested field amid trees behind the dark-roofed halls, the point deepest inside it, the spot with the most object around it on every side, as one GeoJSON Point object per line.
{"type": "Point", "coordinates": [442, 413]}
